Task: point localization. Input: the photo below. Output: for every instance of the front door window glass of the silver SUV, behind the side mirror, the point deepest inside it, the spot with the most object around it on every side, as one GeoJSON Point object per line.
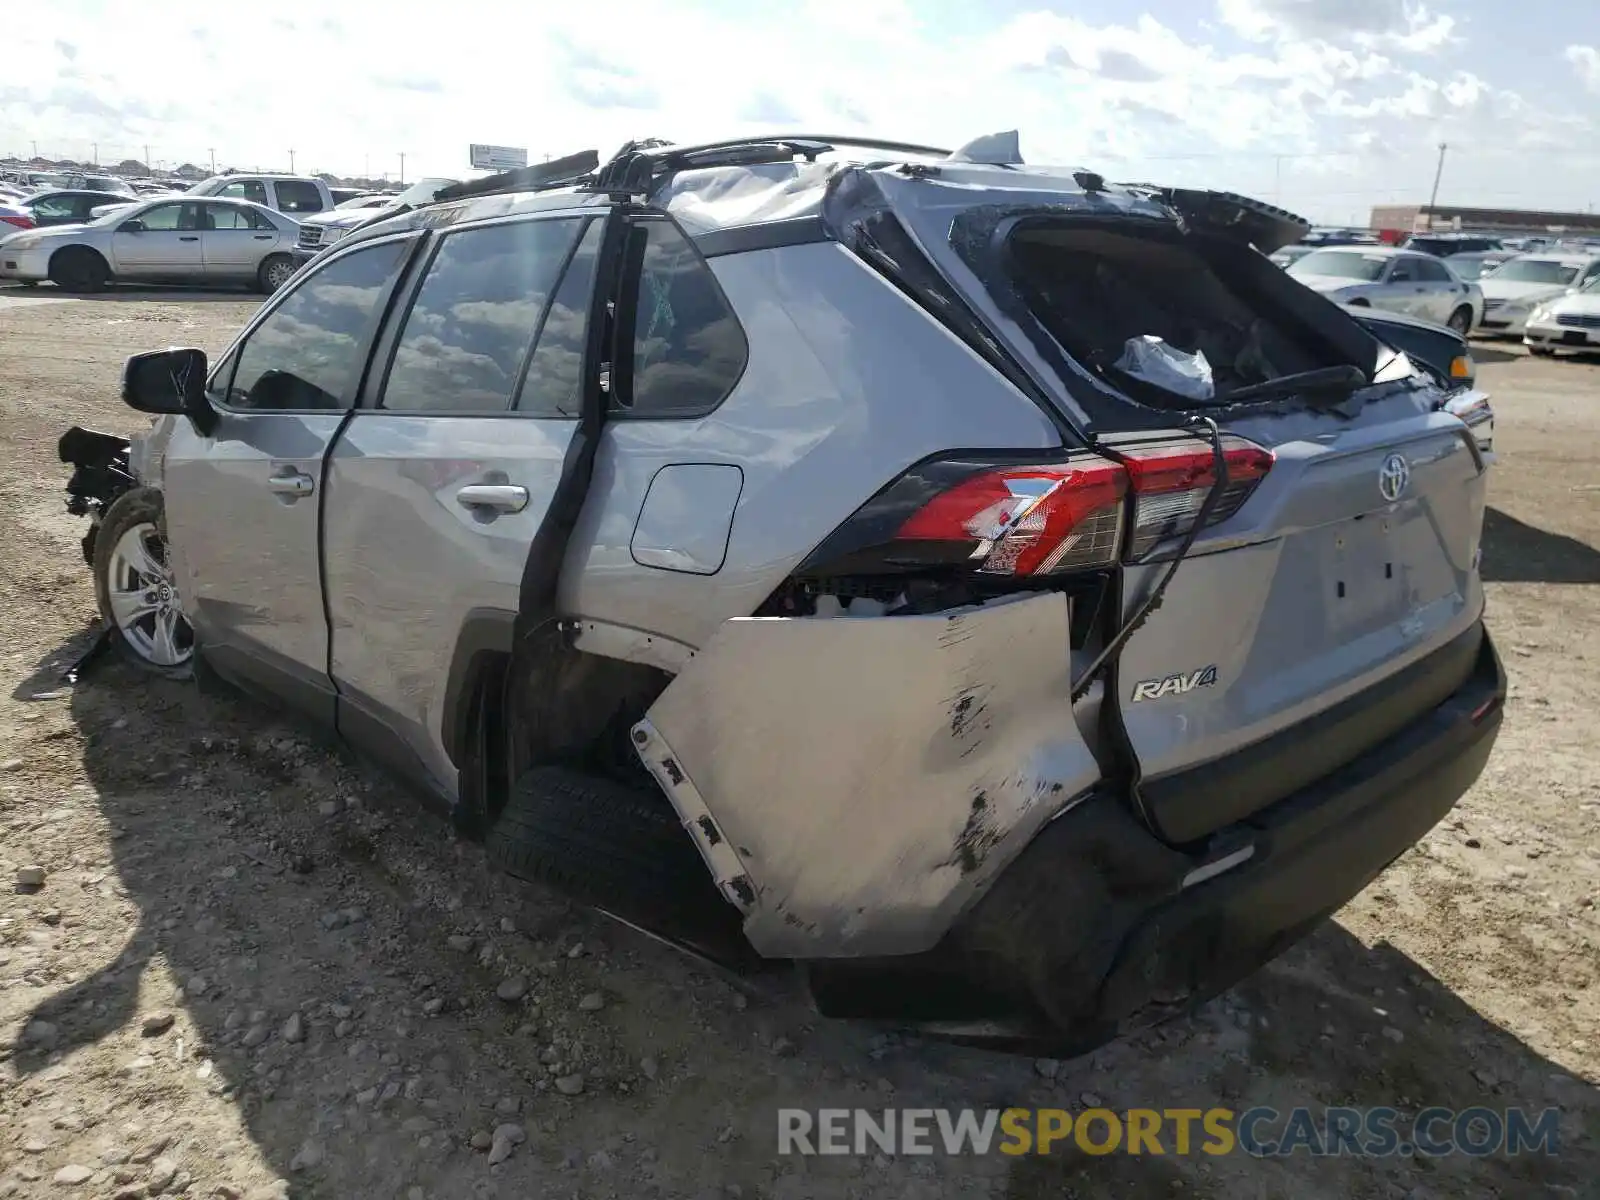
{"type": "Point", "coordinates": [308, 354]}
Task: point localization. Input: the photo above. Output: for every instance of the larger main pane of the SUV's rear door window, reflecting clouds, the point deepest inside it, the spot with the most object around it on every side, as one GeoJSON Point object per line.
{"type": "Point", "coordinates": [476, 316]}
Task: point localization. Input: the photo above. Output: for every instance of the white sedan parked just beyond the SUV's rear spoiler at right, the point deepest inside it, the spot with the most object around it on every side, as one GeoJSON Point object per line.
{"type": "Point", "coordinates": [1399, 281]}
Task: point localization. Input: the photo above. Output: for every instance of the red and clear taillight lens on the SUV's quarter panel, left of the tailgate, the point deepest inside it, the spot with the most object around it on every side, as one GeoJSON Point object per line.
{"type": "Point", "coordinates": [1030, 521]}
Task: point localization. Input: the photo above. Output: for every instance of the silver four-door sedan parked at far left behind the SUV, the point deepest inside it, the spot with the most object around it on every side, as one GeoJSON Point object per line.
{"type": "Point", "coordinates": [167, 241]}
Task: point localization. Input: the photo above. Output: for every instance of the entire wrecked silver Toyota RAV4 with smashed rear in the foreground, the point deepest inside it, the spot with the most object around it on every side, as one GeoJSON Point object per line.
{"type": "Point", "coordinates": [1001, 594]}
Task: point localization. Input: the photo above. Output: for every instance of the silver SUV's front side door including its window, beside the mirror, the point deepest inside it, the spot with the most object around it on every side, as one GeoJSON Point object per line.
{"type": "Point", "coordinates": [242, 503]}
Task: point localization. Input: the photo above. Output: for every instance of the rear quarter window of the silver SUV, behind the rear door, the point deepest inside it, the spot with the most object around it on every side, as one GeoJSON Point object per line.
{"type": "Point", "coordinates": [689, 348]}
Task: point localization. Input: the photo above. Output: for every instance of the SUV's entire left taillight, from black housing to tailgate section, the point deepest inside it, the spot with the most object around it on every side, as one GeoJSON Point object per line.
{"type": "Point", "coordinates": [1042, 519]}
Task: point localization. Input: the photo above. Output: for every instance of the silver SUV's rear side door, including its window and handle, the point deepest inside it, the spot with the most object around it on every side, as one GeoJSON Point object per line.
{"type": "Point", "coordinates": [444, 476]}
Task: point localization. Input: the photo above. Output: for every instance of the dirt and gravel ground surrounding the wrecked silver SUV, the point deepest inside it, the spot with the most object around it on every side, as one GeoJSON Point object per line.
{"type": "Point", "coordinates": [257, 969]}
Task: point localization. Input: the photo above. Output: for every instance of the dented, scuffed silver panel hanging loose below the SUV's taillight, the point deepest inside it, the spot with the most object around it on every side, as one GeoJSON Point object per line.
{"type": "Point", "coordinates": [871, 777]}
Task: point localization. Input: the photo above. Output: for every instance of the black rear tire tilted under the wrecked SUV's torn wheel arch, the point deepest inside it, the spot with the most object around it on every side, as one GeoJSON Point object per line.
{"type": "Point", "coordinates": [610, 847]}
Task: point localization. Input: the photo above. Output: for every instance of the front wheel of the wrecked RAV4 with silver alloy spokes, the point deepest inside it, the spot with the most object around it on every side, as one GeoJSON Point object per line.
{"type": "Point", "coordinates": [134, 585]}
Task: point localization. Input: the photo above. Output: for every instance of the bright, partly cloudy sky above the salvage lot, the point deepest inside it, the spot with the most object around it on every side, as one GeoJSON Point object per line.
{"type": "Point", "coordinates": [1326, 106]}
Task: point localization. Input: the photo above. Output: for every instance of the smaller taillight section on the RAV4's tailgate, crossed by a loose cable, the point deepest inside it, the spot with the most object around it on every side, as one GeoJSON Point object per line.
{"type": "Point", "coordinates": [1172, 481]}
